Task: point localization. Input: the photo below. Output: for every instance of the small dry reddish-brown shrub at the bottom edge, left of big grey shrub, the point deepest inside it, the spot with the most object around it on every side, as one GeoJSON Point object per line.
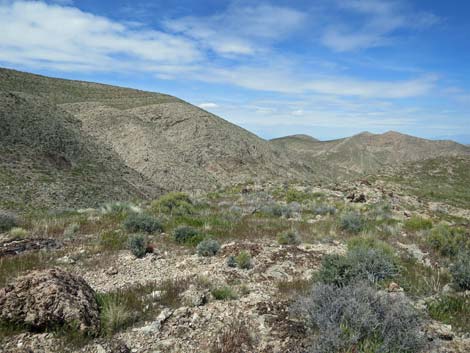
{"type": "Point", "coordinates": [235, 338]}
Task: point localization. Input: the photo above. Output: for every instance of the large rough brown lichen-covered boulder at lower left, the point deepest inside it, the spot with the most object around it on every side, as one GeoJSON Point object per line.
{"type": "Point", "coordinates": [48, 299]}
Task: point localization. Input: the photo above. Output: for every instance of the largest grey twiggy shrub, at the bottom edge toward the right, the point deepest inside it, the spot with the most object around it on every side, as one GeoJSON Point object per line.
{"type": "Point", "coordinates": [357, 318]}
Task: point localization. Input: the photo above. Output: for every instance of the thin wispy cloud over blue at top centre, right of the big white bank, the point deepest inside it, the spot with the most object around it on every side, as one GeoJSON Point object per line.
{"type": "Point", "coordinates": [239, 30]}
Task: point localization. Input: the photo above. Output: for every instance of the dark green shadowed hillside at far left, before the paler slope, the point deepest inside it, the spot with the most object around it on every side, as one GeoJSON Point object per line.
{"type": "Point", "coordinates": [46, 160]}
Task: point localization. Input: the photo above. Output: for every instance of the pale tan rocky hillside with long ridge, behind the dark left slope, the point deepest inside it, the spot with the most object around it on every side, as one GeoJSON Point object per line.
{"type": "Point", "coordinates": [174, 144]}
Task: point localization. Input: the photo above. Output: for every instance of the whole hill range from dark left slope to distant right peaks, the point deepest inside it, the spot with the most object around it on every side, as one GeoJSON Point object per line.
{"type": "Point", "coordinates": [68, 140]}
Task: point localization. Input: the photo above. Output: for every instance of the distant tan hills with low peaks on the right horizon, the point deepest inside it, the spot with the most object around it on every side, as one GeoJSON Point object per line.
{"type": "Point", "coordinates": [365, 153]}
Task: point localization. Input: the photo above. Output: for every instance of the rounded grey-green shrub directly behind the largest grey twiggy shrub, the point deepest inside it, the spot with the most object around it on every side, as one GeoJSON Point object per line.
{"type": "Point", "coordinates": [364, 261]}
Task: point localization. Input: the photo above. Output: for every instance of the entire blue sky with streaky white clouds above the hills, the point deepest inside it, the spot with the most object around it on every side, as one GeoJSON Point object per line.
{"type": "Point", "coordinates": [328, 68]}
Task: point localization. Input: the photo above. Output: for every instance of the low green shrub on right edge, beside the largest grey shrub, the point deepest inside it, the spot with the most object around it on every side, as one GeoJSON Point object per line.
{"type": "Point", "coordinates": [451, 309]}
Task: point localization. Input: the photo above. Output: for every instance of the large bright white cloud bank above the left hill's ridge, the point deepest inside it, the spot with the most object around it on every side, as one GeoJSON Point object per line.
{"type": "Point", "coordinates": [59, 37]}
